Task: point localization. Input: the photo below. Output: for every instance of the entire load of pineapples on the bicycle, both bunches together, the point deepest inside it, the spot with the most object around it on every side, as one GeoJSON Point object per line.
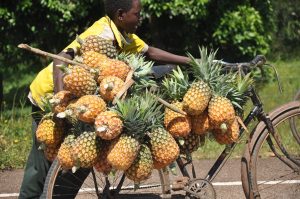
{"type": "Point", "coordinates": [89, 127]}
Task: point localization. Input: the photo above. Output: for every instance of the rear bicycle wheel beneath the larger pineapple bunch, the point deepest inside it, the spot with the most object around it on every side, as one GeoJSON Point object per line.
{"type": "Point", "coordinates": [88, 183]}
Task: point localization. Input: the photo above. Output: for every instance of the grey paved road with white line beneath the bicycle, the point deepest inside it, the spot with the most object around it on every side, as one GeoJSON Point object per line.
{"type": "Point", "coordinates": [227, 184]}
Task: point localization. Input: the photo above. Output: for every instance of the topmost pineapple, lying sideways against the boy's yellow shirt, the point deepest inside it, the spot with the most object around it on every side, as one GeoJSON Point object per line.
{"type": "Point", "coordinates": [97, 44]}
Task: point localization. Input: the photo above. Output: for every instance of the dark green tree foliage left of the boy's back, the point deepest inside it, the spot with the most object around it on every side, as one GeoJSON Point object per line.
{"type": "Point", "coordinates": [47, 24]}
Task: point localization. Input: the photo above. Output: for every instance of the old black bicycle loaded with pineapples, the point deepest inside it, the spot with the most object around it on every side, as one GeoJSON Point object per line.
{"type": "Point", "coordinates": [266, 133]}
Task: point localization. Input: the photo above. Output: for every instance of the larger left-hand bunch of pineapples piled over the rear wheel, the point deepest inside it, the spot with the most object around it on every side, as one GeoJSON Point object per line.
{"type": "Point", "coordinates": [86, 129]}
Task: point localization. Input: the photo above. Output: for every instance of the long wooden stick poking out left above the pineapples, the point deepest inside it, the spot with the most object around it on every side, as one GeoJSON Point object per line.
{"type": "Point", "coordinates": [46, 54]}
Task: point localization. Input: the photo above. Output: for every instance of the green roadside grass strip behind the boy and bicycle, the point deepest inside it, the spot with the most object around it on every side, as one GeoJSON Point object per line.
{"type": "Point", "coordinates": [15, 123]}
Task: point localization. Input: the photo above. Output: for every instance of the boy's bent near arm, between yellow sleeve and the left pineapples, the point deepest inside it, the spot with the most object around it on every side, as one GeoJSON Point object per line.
{"type": "Point", "coordinates": [58, 73]}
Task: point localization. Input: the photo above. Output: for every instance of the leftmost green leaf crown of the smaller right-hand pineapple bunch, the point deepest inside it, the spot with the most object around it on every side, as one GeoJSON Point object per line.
{"type": "Point", "coordinates": [175, 85]}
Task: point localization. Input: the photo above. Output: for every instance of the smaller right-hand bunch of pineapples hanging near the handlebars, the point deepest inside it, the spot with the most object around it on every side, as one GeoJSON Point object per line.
{"type": "Point", "coordinates": [211, 102]}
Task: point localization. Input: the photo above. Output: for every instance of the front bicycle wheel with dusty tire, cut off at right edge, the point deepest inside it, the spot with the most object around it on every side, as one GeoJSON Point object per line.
{"type": "Point", "coordinates": [264, 174]}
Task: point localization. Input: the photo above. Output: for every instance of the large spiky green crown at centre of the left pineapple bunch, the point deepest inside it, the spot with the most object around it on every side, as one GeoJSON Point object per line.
{"type": "Point", "coordinates": [139, 114]}
